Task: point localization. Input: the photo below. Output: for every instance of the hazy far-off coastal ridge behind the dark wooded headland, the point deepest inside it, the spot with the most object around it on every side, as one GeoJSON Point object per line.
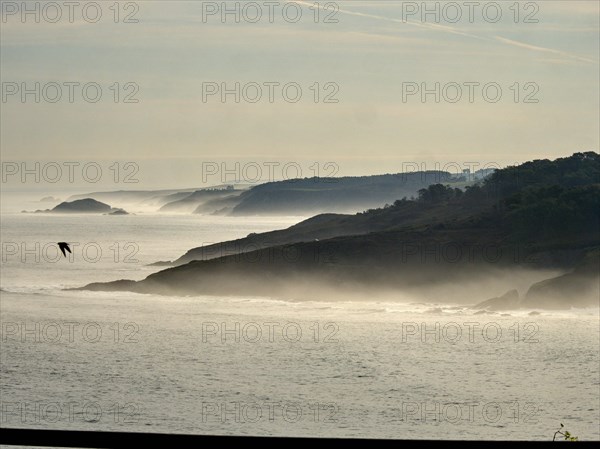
{"type": "Point", "coordinates": [306, 196]}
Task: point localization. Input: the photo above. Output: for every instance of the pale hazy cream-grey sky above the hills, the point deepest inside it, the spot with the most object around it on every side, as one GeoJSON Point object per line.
{"type": "Point", "coordinates": [373, 50]}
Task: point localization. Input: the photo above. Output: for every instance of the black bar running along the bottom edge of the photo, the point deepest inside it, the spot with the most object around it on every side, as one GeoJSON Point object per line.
{"type": "Point", "coordinates": [87, 439]}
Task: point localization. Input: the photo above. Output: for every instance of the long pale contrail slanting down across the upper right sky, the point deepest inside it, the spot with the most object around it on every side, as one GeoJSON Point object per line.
{"type": "Point", "coordinates": [452, 30]}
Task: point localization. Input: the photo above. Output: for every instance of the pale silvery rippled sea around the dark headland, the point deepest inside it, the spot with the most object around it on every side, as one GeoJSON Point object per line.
{"type": "Point", "coordinates": [265, 365]}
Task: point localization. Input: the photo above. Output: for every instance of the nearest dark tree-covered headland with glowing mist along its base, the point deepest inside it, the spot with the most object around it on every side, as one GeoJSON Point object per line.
{"type": "Point", "coordinates": [539, 215]}
